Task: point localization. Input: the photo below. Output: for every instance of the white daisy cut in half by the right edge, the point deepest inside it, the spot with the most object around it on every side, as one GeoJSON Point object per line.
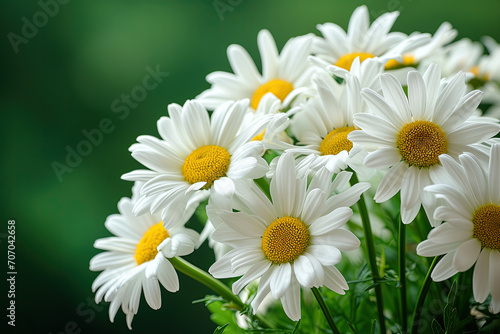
{"type": "Point", "coordinates": [470, 233]}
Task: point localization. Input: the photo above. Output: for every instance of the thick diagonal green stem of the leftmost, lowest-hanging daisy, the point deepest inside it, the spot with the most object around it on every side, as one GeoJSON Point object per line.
{"type": "Point", "coordinates": [214, 284]}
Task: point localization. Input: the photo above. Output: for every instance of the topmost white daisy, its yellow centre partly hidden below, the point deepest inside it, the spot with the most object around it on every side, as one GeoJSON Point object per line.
{"type": "Point", "coordinates": [364, 40]}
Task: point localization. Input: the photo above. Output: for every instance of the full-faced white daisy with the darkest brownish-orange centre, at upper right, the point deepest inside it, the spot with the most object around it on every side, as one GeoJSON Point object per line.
{"type": "Point", "coordinates": [408, 134]}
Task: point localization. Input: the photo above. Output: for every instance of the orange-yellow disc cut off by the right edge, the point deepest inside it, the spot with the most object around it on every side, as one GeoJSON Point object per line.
{"type": "Point", "coordinates": [487, 226]}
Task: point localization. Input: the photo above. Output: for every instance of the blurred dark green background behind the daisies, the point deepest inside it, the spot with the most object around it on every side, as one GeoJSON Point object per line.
{"type": "Point", "coordinates": [63, 81]}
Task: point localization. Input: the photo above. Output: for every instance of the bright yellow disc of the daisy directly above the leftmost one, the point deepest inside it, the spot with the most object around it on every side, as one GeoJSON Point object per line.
{"type": "Point", "coordinates": [207, 163]}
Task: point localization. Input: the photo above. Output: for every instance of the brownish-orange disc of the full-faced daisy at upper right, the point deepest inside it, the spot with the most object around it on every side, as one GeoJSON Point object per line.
{"type": "Point", "coordinates": [421, 142]}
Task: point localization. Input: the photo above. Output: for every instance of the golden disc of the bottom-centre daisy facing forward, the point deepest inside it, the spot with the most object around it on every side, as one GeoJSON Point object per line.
{"type": "Point", "coordinates": [285, 239]}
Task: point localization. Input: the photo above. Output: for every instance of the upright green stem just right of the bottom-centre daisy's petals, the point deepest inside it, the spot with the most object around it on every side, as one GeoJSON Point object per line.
{"type": "Point", "coordinates": [370, 246]}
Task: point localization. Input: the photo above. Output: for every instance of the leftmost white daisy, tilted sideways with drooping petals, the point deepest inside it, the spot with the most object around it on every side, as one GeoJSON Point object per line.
{"type": "Point", "coordinates": [135, 258]}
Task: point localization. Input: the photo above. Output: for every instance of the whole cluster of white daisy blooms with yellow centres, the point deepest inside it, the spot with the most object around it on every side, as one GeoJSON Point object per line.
{"type": "Point", "coordinates": [270, 154]}
